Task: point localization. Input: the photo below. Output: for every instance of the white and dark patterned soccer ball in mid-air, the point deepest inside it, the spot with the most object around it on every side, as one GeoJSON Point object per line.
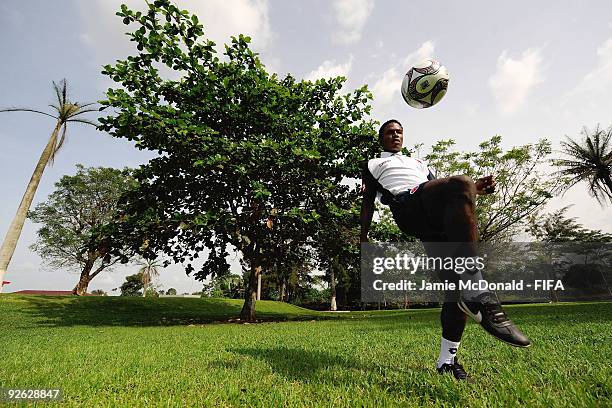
{"type": "Point", "coordinates": [425, 84]}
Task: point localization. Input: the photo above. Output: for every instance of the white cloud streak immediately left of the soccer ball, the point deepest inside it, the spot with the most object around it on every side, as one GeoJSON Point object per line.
{"type": "Point", "coordinates": [390, 81]}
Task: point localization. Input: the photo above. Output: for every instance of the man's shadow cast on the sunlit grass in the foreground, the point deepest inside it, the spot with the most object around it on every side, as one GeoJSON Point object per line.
{"type": "Point", "coordinates": [317, 366]}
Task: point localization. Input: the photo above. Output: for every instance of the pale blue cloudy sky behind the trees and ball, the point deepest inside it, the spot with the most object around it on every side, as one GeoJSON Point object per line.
{"type": "Point", "coordinates": [524, 70]}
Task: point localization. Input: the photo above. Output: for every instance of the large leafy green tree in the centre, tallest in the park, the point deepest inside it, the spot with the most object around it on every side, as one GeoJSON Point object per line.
{"type": "Point", "coordinates": [236, 145]}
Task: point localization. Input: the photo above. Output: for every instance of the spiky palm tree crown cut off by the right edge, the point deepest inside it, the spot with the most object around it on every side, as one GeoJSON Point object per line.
{"type": "Point", "coordinates": [590, 161]}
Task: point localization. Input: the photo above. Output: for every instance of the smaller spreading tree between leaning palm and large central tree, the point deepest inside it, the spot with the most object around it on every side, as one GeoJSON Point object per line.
{"type": "Point", "coordinates": [79, 204]}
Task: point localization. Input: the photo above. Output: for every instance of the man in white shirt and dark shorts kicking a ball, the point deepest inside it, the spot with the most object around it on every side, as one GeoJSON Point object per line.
{"type": "Point", "coordinates": [436, 210]}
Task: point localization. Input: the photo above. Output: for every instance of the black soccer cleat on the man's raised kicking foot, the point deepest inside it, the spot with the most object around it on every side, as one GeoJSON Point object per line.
{"type": "Point", "coordinates": [486, 310]}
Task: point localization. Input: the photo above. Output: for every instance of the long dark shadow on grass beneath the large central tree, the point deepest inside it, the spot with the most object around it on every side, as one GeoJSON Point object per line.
{"type": "Point", "coordinates": [59, 311]}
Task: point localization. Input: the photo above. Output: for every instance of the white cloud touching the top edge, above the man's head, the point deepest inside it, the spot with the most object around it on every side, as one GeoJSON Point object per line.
{"type": "Point", "coordinates": [351, 17]}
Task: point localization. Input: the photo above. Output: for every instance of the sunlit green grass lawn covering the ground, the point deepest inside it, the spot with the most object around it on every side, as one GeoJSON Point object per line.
{"type": "Point", "coordinates": [167, 352]}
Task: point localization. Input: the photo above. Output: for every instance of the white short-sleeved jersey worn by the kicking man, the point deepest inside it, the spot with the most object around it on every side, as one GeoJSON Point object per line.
{"type": "Point", "coordinates": [397, 173]}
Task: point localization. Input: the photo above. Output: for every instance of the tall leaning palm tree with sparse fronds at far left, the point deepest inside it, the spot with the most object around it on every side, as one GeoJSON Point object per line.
{"type": "Point", "coordinates": [67, 112]}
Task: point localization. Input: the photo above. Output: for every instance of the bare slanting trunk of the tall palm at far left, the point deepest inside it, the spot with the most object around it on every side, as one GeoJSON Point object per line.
{"type": "Point", "coordinates": [14, 232]}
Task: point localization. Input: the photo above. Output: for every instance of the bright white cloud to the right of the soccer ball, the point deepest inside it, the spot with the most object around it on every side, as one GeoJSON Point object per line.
{"type": "Point", "coordinates": [514, 79]}
